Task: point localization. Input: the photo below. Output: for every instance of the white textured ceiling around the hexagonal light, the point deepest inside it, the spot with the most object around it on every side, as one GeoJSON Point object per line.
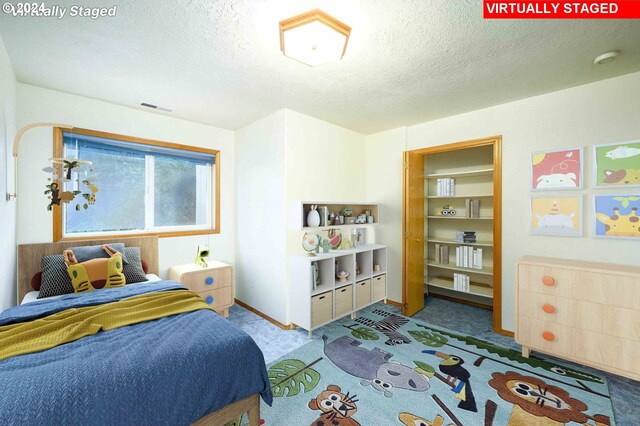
{"type": "Point", "coordinates": [218, 62]}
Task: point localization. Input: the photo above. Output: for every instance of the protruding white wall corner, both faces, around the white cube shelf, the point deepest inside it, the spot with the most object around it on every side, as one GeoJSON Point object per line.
{"type": "Point", "coordinates": [285, 157]}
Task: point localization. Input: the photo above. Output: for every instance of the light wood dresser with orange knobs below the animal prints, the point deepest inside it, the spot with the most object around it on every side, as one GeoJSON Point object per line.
{"type": "Point", "coordinates": [584, 312]}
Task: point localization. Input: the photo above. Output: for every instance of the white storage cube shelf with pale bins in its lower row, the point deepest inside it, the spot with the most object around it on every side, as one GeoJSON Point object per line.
{"type": "Point", "coordinates": [309, 306]}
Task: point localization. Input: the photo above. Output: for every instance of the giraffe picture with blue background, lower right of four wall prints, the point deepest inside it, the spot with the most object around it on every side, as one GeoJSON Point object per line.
{"type": "Point", "coordinates": [616, 216]}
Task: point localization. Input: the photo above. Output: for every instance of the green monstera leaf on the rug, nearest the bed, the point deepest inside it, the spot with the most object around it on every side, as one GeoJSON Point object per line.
{"type": "Point", "coordinates": [289, 376]}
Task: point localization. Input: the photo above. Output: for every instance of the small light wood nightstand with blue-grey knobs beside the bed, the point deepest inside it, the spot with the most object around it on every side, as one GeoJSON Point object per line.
{"type": "Point", "coordinates": [213, 283]}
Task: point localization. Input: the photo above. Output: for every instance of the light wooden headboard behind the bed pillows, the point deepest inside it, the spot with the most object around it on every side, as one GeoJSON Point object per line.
{"type": "Point", "coordinates": [29, 256]}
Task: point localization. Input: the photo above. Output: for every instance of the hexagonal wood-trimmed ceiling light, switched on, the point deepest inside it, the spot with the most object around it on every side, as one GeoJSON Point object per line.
{"type": "Point", "coordinates": [314, 38]}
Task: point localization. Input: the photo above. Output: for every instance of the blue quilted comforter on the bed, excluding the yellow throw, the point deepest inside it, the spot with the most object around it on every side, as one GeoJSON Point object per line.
{"type": "Point", "coordinates": [169, 371]}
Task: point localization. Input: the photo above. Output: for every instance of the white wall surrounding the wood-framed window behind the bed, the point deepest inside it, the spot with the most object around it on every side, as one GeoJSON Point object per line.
{"type": "Point", "coordinates": [37, 104]}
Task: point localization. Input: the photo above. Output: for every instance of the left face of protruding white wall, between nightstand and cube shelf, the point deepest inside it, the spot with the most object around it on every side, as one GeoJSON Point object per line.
{"type": "Point", "coordinates": [260, 220]}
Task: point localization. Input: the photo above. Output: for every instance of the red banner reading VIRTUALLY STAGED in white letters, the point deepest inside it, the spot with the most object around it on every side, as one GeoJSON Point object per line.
{"type": "Point", "coordinates": [589, 9]}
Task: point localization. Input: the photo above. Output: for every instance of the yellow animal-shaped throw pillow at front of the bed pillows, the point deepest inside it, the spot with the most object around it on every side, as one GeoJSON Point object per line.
{"type": "Point", "coordinates": [95, 273]}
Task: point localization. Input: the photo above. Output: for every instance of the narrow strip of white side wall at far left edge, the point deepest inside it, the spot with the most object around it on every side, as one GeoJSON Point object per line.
{"type": "Point", "coordinates": [7, 208]}
